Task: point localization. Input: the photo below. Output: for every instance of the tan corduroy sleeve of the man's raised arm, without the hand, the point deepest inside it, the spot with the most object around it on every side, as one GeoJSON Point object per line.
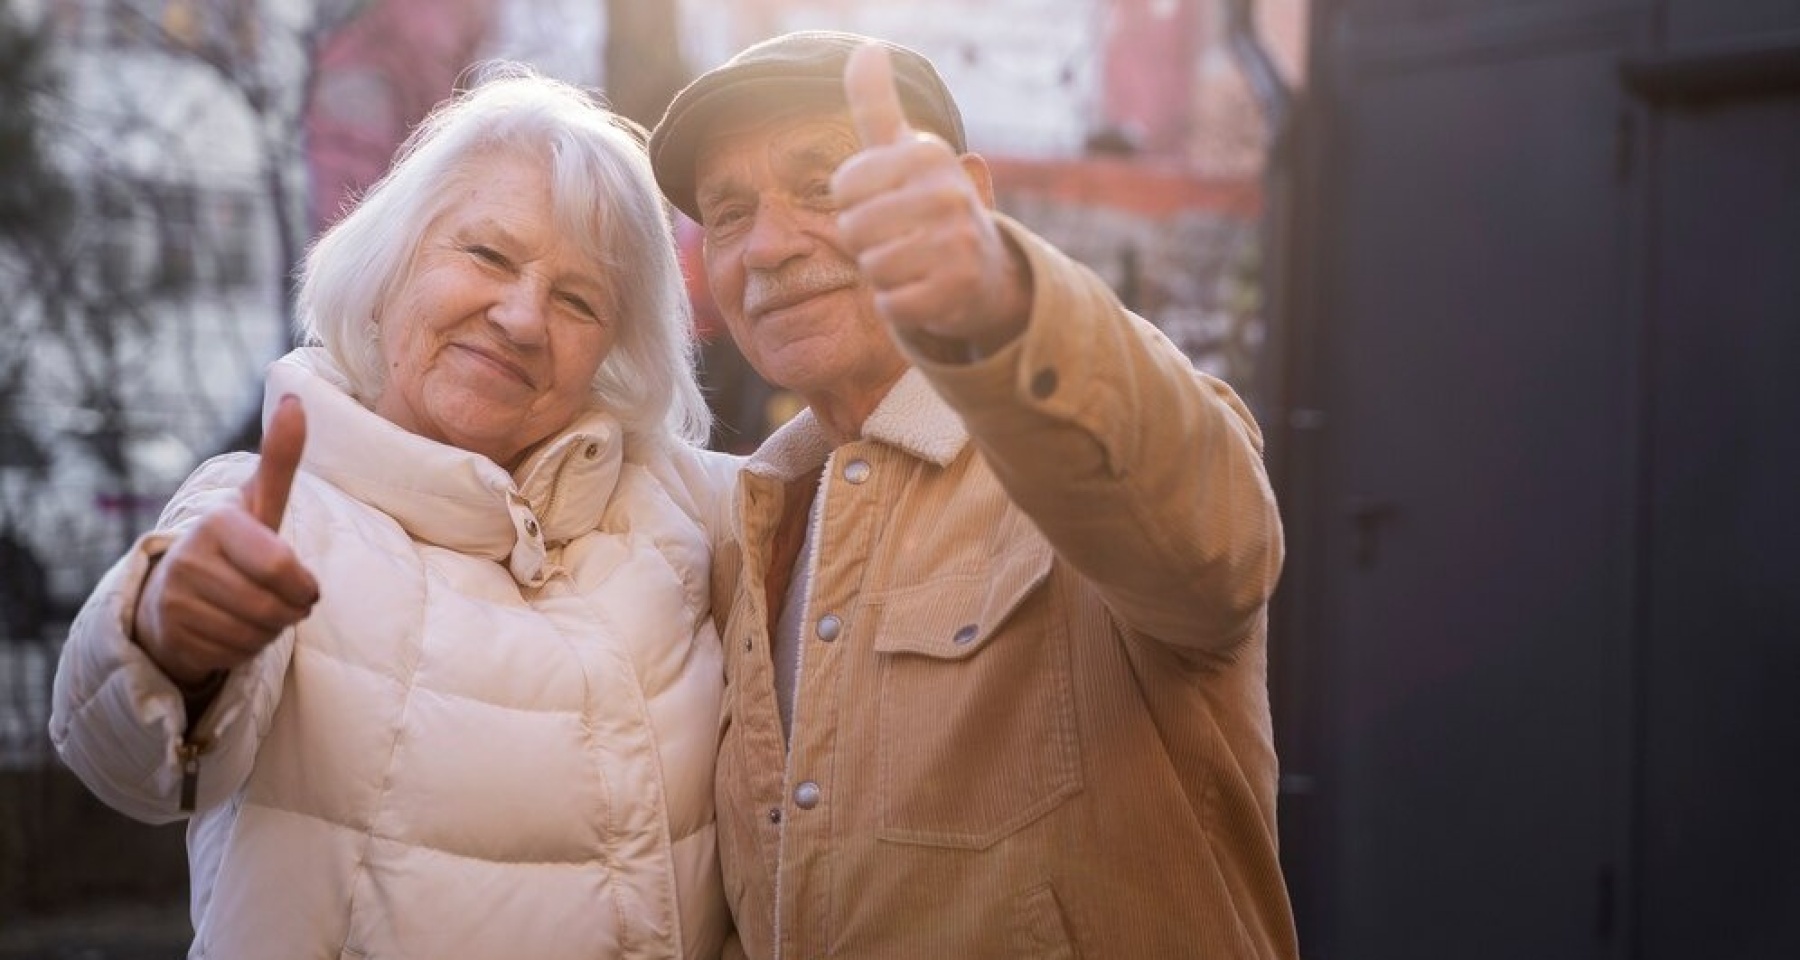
{"type": "Point", "coordinates": [1144, 475]}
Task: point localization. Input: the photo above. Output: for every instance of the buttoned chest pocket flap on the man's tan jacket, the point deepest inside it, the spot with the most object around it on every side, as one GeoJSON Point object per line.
{"type": "Point", "coordinates": [951, 619]}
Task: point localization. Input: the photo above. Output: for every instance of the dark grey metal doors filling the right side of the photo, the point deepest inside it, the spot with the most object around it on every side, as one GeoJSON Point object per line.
{"type": "Point", "coordinates": [1543, 458]}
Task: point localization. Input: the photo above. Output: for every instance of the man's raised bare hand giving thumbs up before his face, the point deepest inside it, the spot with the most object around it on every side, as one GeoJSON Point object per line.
{"type": "Point", "coordinates": [919, 226]}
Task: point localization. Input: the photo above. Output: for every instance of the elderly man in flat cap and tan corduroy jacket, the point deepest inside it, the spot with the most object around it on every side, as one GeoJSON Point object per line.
{"type": "Point", "coordinates": [996, 642]}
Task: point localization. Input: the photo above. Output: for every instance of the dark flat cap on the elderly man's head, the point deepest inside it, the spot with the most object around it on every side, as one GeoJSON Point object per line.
{"type": "Point", "coordinates": [798, 69]}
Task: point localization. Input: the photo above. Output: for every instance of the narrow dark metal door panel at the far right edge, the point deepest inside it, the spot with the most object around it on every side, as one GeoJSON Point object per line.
{"type": "Point", "coordinates": [1720, 619]}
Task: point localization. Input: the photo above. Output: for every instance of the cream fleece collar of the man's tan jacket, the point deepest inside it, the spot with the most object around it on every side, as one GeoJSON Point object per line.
{"type": "Point", "coordinates": [912, 419]}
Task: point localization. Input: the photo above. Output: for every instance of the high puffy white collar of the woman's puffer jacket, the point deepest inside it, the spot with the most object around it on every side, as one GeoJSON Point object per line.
{"type": "Point", "coordinates": [444, 494]}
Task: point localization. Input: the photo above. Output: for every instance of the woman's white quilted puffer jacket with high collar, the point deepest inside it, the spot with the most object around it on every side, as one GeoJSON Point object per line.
{"type": "Point", "coordinates": [492, 739]}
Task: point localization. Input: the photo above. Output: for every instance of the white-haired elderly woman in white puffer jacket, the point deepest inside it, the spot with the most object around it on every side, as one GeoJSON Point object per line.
{"type": "Point", "coordinates": [436, 675]}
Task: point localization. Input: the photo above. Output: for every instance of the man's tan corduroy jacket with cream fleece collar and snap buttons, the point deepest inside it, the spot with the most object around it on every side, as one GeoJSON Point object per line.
{"type": "Point", "coordinates": [1032, 714]}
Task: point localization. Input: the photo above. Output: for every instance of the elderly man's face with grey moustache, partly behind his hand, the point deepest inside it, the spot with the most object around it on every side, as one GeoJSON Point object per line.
{"type": "Point", "coordinates": [784, 282]}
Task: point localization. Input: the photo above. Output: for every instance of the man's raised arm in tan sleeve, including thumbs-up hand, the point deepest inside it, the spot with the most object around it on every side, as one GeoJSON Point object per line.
{"type": "Point", "coordinates": [1144, 475]}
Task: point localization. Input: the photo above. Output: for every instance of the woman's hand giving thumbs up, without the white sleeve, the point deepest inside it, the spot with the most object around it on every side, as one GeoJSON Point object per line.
{"type": "Point", "coordinates": [229, 584]}
